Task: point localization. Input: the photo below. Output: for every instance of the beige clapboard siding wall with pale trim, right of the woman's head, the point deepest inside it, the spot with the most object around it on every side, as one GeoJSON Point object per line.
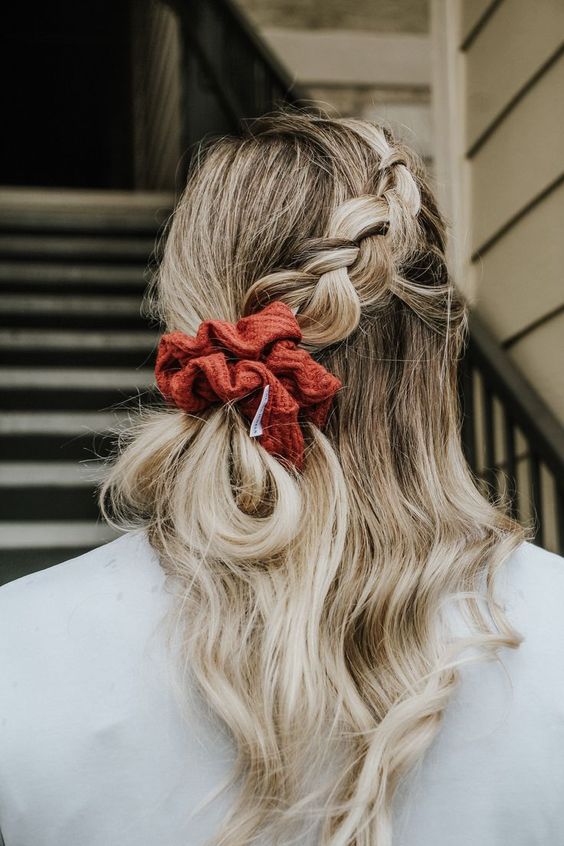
{"type": "Point", "coordinates": [508, 160]}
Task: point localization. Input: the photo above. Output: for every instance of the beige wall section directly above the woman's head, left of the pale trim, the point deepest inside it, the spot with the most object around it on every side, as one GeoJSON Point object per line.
{"type": "Point", "coordinates": [368, 58]}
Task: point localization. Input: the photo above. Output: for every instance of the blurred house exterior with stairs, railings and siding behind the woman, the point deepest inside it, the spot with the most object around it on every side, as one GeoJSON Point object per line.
{"type": "Point", "coordinates": [103, 105]}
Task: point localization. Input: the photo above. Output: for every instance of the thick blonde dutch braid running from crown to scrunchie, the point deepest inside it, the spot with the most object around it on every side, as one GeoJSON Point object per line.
{"type": "Point", "coordinates": [361, 260]}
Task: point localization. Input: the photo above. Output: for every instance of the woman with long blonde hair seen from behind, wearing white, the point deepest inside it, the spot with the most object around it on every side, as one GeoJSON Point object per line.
{"type": "Point", "coordinates": [310, 581]}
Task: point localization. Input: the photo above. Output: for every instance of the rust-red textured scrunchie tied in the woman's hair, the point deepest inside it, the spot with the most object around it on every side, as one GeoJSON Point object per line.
{"type": "Point", "coordinates": [228, 362]}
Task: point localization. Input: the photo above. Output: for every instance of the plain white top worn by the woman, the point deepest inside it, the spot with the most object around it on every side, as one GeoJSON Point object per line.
{"type": "Point", "coordinates": [94, 749]}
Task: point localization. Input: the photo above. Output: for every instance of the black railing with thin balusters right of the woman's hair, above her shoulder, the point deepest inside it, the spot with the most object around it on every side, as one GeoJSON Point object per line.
{"type": "Point", "coordinates": [512, 441]}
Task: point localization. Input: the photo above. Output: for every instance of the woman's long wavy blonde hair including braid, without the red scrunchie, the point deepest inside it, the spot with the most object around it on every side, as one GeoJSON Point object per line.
{"type": "Point", "coordinates": [311, 603]}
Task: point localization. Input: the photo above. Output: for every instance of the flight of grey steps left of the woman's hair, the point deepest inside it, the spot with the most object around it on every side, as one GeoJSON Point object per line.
{"type": "Point", "coordinates": [75, 351]}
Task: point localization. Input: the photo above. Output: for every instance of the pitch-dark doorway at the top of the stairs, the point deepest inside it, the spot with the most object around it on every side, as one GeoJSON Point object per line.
{"type": "Point", "coordinates": [67, 113]}
